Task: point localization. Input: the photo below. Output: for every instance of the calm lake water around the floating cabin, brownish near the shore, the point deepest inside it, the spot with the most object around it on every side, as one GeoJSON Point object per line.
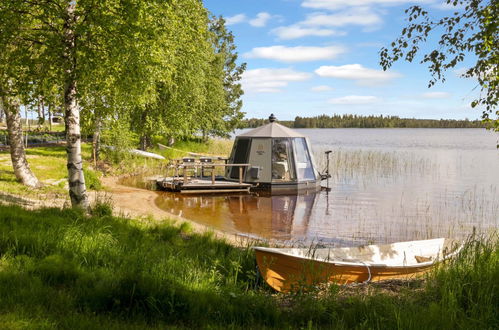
{"type": "Point", "coordinates": [387, 185]}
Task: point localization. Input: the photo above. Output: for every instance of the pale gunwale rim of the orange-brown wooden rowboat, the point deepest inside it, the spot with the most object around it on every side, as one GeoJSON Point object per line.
{"type": "Point", "coordinates": [364, 264]}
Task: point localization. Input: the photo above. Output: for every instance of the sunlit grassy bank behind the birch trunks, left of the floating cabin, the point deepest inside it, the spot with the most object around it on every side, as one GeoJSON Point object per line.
{"type": "Point", "coordinates": [49, 165]}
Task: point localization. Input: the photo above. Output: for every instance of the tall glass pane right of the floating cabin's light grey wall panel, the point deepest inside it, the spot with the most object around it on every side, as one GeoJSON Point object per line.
{"type": "Point", "coordinates": [282, 163]}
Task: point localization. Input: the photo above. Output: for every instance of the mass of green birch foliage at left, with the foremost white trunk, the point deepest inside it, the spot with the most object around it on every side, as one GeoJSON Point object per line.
{"type": "Point", "coordinates": [154, 66]}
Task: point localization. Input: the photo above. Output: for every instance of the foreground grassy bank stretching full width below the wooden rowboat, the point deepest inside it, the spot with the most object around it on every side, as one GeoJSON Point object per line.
{"type": "Point", "coordinates": [62, 269]}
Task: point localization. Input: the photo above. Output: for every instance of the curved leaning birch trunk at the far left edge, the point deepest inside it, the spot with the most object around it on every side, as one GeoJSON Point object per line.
{"type": "Point", "coordinates": [20, 164]}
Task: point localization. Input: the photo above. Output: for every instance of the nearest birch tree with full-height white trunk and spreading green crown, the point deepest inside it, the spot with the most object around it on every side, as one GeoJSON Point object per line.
{"type": "Point", "coordinates": [87, 44]}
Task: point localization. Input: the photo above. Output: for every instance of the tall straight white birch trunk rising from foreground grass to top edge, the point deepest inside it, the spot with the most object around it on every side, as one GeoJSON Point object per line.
{"type": "Point", "coordinates": [76, 180]}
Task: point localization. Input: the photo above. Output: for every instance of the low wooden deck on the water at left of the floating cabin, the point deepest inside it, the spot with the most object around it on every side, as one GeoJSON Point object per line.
{"type": "Point", "coordinates": [202, 185]}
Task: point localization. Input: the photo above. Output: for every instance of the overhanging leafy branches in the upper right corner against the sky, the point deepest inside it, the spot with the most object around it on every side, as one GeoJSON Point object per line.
{"type": "Point", "coordinates": [470, 32]}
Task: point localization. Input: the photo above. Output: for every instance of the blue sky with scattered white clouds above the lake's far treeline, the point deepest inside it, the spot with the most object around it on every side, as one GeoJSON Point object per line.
{"type": "Point", "coordinates": [313, 57]}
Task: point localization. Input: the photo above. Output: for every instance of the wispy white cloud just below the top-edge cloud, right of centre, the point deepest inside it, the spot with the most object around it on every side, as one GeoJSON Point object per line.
{"type": "Point", "coordinates": [355, 16]}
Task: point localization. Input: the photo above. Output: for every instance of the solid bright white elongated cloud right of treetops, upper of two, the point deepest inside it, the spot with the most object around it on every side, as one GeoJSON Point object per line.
{"type": "Point", "coordinates": [295, 54]}
